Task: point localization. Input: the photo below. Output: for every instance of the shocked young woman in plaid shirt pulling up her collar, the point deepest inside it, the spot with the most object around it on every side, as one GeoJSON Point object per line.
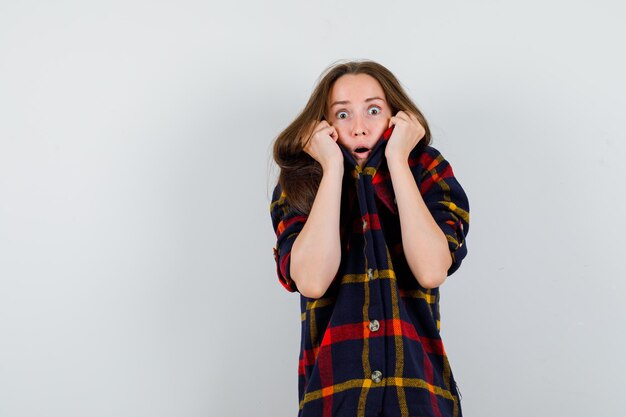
{"type": "Point", "coordinates": [370, 221]}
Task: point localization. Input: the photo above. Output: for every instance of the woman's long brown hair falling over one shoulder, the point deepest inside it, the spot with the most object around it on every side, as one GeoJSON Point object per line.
{"type": "Point", "coordinates": [300, 174]}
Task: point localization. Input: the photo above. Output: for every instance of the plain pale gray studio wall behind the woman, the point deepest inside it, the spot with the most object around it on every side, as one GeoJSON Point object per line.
{"type": "Point", "coordinates": [136, 268]}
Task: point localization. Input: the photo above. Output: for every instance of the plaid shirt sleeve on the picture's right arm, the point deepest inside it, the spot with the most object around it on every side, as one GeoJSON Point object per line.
{"type": "Point", "coordinates": [446, 200]}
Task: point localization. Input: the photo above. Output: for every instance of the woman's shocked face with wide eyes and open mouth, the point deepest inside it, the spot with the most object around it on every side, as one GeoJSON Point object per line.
{"type": "Point", "coordinates": [358, 110]}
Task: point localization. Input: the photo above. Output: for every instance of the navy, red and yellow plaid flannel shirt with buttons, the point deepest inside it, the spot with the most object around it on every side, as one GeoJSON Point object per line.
{"type": "Point", "coordinates": [371, 345]}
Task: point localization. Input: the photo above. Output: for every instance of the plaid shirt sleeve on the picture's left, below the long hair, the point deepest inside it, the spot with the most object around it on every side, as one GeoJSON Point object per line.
{"type": "Point", "coordinates": [287, 224]}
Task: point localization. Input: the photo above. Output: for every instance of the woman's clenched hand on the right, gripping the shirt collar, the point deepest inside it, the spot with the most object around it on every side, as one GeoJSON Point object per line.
{"type": "Point", "coordinates": [406, 135]}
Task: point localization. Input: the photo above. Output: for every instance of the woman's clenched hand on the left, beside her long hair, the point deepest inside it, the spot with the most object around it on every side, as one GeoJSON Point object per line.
{"type": "Point", "coordinates": [322, 145]}
